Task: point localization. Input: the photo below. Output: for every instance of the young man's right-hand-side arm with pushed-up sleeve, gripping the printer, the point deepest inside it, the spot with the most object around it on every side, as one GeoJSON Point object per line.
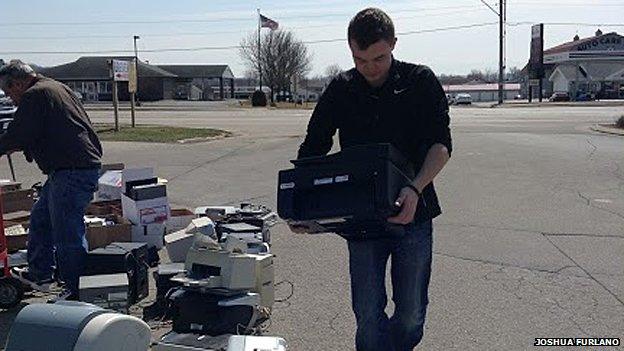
{"type": "Point", "coordinates": [439, 151]}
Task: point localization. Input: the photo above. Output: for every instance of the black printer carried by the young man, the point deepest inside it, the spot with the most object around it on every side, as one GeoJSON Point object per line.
{"type": "Point", "coordinates": [351, 192]}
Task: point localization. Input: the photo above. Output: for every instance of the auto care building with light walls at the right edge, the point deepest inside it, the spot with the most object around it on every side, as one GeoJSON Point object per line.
{"type": "Point", "coordinates": [593, 65]}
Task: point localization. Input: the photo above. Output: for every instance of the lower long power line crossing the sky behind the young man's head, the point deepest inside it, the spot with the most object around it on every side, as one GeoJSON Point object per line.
{"type": "Point", "coordinates": [441, 29]}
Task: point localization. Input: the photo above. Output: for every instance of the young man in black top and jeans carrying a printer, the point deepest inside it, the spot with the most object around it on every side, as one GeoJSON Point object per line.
{"type": "Point", "coordinates": [386, 100]}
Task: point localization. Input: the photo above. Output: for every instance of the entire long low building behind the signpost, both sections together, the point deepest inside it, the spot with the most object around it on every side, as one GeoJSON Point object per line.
{"type": "Point", "coordinates": [90, 76]}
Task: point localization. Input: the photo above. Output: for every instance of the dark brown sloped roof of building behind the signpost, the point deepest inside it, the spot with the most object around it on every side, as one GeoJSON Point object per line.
{"type": "Point", "coordinates": [96, 68]}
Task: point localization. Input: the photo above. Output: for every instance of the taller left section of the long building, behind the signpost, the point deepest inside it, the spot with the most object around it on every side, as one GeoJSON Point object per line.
{"type": "Point", "coordinates": [90, 76]}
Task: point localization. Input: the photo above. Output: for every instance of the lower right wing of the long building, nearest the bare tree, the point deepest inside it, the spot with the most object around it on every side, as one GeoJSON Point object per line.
{"type": "Point", "coordinates": [202, 82]}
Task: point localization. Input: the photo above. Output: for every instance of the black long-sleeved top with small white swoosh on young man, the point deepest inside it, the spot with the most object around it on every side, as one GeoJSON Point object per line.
{"type": "Point", "coordinates": [409, 111]}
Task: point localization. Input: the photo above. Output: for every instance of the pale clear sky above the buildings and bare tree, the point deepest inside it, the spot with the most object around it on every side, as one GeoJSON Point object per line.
{"type": "Point", "coordinates": [208, 31]}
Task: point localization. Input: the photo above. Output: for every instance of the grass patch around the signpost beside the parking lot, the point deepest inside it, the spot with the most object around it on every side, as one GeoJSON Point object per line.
{"type": "Point", "coordinates": [156, 134]}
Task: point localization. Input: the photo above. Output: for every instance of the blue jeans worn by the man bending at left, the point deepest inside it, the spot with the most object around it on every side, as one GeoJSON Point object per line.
{"type": "Point", "coordinates": [57, 225]}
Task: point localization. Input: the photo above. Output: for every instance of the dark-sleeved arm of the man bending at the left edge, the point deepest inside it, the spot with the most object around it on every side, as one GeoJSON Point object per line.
{"type": "Point", "coordinates": [26, 126]}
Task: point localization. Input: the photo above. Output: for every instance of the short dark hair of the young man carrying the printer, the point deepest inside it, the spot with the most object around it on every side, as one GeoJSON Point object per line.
{"type": "Point", "coordinates": [369, 26]}
